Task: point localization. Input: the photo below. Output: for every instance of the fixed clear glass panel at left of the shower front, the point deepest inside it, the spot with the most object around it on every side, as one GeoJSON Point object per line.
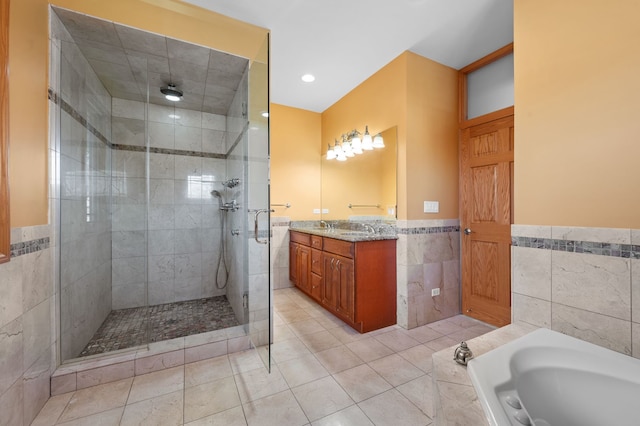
{"type": "Point", "coordinates": [102, 206]}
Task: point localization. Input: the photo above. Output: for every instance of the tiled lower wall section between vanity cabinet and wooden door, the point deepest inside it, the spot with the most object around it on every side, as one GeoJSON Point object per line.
{"type": "Point", "coordinates": [428, 257]}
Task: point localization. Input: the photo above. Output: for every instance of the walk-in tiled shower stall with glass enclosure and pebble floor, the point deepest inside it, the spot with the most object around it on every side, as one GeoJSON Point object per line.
{"type": "Point", "coordinates": [155, 200]}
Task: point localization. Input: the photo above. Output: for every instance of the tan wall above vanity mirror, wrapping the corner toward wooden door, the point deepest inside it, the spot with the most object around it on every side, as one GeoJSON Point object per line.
{"type": "Point", "coordinates": [419, 96]}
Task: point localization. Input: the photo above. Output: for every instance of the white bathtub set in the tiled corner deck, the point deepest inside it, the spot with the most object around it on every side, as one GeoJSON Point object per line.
{"type": "Point", "coordinates": [547, 378]}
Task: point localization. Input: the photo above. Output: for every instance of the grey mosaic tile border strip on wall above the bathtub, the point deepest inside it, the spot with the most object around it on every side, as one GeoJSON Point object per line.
{"type": "Point", "coordinates": [572, 246]}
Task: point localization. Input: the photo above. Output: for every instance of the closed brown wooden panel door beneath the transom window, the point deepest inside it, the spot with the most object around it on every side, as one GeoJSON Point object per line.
{"type": "Point", "coordinates": [486, 161]}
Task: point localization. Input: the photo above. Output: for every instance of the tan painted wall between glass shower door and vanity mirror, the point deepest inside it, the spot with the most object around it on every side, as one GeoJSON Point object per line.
{"type": "Point", "coordinates": [295, 161]}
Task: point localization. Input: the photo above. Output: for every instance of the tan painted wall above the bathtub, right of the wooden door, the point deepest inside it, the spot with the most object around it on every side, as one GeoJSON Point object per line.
{"type": "Point", "coordinates": [577, 121]}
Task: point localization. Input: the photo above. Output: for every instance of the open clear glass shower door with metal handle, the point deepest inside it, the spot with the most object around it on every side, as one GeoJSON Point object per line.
{"type": "Point", "coordinates": [258, 264]}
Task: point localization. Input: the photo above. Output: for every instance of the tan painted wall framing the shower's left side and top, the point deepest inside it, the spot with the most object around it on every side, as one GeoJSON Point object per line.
{"type": "Point", "coordinates": [28, 61]}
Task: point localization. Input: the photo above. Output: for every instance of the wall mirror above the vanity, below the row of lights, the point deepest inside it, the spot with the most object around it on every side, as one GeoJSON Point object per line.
{"type": "Point", "coordinates": [364, 186]}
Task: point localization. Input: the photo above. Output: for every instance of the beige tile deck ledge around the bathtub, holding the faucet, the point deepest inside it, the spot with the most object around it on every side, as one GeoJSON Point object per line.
{"type": "Point", "coordinates": [454, 397]}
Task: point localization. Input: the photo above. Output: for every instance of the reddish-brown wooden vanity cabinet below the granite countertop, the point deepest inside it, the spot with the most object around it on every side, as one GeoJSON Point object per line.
{"type": "Point", "coordinates": [356, 281]}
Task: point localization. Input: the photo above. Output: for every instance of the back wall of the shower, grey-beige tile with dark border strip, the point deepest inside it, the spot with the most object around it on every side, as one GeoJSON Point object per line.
{"type": "Point", "coordinates": [183, 226]}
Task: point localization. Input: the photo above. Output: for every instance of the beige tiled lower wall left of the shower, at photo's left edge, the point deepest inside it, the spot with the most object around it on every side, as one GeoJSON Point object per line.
{"type": "Point", "coordinates": [27, 329]}
